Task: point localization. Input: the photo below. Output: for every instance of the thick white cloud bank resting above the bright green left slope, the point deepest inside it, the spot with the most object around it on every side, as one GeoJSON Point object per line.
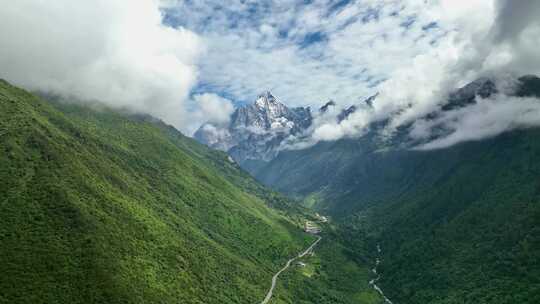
{"type": "Point", "coordinates": [114, 51]}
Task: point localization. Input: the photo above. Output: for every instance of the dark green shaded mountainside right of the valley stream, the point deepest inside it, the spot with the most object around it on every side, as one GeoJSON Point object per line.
{"type": "Point", "coordinates": [456, 225]}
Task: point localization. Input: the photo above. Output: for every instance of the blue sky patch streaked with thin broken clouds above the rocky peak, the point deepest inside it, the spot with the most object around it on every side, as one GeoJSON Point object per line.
{"type": "Point", "coordinates": [305, 52]}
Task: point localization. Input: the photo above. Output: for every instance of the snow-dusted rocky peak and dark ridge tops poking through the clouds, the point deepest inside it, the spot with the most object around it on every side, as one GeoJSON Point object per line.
{"type": "Point", "coordinates": [256, 133]}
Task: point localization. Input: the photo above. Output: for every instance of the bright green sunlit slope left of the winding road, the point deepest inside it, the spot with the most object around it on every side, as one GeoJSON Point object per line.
{"type": "Point", "coordinates": [96, 207]}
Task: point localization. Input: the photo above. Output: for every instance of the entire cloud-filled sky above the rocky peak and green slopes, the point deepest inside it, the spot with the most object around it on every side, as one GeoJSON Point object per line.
{"type": "Point", "coordinates": [187, 62]}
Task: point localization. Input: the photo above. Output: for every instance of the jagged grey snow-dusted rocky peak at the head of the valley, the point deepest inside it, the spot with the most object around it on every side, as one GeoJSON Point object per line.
{"type": "Point", "coordinates": [256, 131]}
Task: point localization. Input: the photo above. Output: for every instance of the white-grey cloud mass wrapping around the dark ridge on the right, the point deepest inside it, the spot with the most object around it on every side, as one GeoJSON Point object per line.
{"type": "Point", "coordinates": [483, 38]}
